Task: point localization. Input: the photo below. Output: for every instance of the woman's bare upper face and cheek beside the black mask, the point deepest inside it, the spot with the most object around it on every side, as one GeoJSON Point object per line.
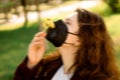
{"type": "Point", "coordinates": [73, 27]}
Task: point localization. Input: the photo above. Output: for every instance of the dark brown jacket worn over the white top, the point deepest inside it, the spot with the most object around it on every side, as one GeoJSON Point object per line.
{"type": "Point", "coordinates": [45, 70]}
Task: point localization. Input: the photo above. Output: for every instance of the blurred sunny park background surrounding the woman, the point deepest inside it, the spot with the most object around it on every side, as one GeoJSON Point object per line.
{"type": "Point", "coordinates": [21, 19]}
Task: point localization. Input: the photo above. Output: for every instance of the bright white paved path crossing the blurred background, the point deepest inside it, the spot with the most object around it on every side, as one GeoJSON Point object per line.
{"type": "Point", "coordinates": [32, 16]}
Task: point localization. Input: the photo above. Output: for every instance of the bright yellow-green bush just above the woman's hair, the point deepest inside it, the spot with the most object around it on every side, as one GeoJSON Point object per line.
{"type": "Point", "coordinates": [102, 9]}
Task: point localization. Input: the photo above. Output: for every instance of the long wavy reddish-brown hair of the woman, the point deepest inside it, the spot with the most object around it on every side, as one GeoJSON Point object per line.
{"type": "Point", "coordinates": [95, 58]}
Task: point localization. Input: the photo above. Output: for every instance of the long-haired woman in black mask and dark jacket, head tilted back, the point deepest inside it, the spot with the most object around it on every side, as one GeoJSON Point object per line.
{"type": "Point", "coordinates": [85, 51]}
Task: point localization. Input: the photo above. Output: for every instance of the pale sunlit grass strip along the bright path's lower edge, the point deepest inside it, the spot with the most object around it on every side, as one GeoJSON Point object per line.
{"type": "Point", "coordinates": [18, 24]}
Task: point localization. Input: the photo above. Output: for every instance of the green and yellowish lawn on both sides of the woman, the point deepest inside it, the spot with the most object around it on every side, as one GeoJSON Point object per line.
{"type": "Point", "coordinates": [14, 44]}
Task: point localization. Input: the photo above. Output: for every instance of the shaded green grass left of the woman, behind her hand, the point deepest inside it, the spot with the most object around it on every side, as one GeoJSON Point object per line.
{"type": "Point", "coordinates": [13, 48]}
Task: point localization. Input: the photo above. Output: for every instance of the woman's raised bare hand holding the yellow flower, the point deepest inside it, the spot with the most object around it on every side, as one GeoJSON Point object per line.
{"type": "Point", "coordinates": [36, 49]}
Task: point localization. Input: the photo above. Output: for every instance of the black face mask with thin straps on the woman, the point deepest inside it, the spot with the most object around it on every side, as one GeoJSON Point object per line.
{"type": "Point", "coordinates": [58, 35]}
